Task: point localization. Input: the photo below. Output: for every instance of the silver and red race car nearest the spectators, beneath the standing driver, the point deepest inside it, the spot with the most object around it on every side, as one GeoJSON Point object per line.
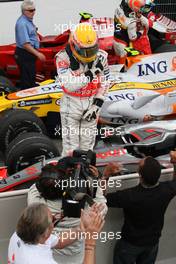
{"type": "Point", "coordinates": [125, 145]}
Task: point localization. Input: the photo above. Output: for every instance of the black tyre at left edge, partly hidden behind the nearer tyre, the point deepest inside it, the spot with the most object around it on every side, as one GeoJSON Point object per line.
{"type": "Point", "coordinates": [17, 121]}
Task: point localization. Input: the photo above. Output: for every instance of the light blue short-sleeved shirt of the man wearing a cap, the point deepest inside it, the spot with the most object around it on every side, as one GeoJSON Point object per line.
{"type": "Point", "coordinates": [25, 32]}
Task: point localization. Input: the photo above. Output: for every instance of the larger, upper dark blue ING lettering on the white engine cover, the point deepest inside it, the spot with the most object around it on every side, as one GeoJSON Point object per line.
{"type": "Point", "coordinates": [152, 68]}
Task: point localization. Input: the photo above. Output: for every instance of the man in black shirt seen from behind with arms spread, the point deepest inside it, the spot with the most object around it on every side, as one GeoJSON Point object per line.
{"type": "Point", "coordinates": [144, 208]}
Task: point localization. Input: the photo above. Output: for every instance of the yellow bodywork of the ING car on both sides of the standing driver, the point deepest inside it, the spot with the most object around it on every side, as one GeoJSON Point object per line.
{"type": "Point", "coordinates": [46, 98]}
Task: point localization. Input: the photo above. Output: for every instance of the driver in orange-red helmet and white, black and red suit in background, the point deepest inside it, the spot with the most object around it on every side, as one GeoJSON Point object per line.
{"type": "Point", "coordinates": [128, 23]}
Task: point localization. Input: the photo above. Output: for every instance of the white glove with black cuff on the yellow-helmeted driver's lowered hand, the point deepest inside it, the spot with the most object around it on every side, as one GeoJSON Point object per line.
{"type": "Point", "coordinates": [91, 114]}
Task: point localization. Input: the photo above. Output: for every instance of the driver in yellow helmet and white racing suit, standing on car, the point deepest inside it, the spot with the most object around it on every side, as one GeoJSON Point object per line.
{"type": "Point", "coordinates": [84, 75]}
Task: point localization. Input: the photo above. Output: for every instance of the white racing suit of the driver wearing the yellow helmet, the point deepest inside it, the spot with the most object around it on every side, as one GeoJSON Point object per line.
{"type": "Point", "coordinates": [78, 97]}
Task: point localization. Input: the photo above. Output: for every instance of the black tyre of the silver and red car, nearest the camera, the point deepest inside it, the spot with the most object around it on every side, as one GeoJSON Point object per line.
{"type": "Point", "coordinates": [28, 149]}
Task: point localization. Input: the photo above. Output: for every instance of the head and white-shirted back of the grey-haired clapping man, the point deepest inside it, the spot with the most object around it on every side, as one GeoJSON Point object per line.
{"type": "Point", "coordinates": [32, 242]}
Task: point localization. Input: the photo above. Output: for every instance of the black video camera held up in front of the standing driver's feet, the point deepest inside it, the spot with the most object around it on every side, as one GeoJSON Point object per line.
{"type": "Point", "coordinates": [78, 174]}
